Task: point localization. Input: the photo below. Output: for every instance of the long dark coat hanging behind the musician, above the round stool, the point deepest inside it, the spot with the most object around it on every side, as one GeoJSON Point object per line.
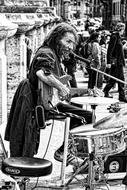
{"type": "Point", "coordinates": [21, 129]}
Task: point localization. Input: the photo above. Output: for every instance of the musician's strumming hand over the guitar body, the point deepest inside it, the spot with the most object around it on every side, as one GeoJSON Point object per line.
{"type": "Point", "coordinates": [64, 93]}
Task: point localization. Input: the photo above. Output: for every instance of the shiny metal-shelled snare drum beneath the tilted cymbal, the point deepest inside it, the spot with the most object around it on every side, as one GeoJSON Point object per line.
{"type": "Point", "coordinates": [101, 142]}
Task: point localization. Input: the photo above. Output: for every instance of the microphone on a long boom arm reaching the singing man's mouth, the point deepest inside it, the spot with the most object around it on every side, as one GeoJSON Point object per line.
{"type": "Point", "coordinates": [97, 70]}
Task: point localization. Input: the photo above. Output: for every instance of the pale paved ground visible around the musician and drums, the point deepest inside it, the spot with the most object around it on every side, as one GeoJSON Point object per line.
{"type": "Point", "coordinates": [56, 138]}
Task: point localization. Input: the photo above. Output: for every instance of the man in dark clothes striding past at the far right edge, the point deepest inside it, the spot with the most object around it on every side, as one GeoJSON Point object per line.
{"type": "Point", "coordinates": [116, 62]}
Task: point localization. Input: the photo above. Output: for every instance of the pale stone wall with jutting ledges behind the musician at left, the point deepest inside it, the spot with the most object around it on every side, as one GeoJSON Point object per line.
{"type": "Point", "coordinates": [15, 26]}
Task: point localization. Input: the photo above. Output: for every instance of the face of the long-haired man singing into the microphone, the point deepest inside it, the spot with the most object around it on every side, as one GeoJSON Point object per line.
{"type": "Point", "coordinates": [67, 43]}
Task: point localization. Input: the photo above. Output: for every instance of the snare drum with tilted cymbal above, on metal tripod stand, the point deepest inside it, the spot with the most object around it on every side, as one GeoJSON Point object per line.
{"type": "Point", "coordinates": [96, 142]}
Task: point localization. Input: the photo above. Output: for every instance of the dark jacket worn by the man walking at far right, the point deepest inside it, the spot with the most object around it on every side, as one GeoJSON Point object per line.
{"type": "Point", "coordinates": [115, 50]}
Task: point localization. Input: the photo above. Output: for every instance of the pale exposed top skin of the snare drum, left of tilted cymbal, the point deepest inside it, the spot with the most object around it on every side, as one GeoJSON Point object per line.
{"type": "Point", "coordinates": [82, 129]}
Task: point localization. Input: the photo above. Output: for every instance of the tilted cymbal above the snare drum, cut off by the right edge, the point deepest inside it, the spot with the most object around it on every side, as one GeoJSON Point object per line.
{"type": "Point", "coordinates": [115, 120]}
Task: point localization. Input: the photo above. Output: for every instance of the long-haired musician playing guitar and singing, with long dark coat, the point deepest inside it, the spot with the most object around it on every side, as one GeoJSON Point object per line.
{"type": "Point", "coordinates": [47, 67]}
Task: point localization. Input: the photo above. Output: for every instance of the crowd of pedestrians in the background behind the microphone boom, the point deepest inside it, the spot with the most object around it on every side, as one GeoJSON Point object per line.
{"type": "Point", "coordinates": [93, 45]}
